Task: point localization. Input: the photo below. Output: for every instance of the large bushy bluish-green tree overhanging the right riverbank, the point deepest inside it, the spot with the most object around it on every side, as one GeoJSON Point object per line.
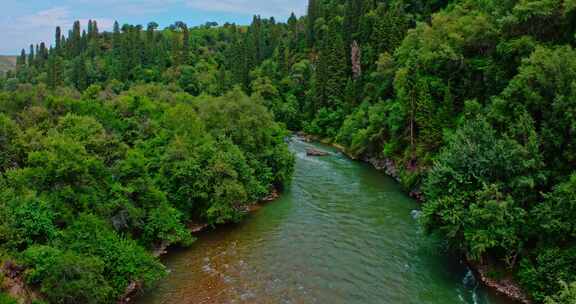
{"type": "Point", "coordinates": [480, 176]}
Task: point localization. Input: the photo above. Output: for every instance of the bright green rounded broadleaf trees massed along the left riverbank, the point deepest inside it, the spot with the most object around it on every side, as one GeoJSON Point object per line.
{"type": "Point", "coordinates": [92, 184]}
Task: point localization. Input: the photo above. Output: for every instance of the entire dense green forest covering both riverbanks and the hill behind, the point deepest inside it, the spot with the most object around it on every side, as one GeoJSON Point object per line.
{"type": "Point", "coordinates": [112, 142]}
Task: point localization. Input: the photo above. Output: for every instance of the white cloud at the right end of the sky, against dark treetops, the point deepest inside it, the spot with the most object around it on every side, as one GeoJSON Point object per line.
{"type": "Point", "coordinates": [279, 8]}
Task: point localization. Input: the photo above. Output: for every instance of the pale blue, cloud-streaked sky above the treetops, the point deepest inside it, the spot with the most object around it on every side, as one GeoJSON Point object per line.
{"type": "Point", "coordinates": [23, 22]}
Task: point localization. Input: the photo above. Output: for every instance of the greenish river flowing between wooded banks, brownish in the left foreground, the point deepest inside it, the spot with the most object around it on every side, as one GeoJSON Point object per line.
{"type": "Point", "coordinates": [341, 232]}
